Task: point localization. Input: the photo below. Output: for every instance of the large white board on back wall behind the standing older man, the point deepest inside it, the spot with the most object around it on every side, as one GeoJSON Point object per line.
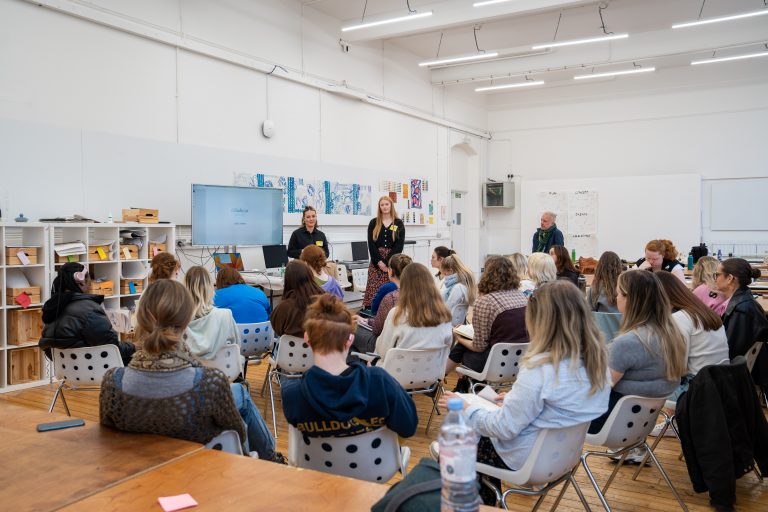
{"type": "Point", "coordinates": [630, 211]}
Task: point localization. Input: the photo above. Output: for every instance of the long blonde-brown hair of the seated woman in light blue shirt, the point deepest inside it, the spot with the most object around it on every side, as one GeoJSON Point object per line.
{"type": "Point", "coordinates": [561, 326]}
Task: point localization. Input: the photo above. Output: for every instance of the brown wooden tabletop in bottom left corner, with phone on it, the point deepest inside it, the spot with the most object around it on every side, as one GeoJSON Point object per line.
{"type": "Point", "coordinates": [47, 470]}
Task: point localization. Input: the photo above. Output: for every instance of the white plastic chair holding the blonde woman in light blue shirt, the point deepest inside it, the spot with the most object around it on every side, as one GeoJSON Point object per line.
{"type": "Point", "coordinates": [554, 459]}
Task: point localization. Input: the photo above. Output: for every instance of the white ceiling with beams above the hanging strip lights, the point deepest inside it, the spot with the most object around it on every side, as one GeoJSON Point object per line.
{"type": "Point", "coordinates": [456, 28]}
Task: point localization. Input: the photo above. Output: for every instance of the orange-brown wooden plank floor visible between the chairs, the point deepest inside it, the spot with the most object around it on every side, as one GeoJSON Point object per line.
{"type": "Point", "coordinates": [648, 493]}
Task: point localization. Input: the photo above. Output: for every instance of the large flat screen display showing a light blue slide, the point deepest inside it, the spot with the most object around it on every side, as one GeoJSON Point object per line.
{"type": "Point", "coordinates": [223, 215]}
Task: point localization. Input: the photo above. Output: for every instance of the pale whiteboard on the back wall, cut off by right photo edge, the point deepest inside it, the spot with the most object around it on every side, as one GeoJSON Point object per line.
{"type": "Point", "coordinates": [739, 205]}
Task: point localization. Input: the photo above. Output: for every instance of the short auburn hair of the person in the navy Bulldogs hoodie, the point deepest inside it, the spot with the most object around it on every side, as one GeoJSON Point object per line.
{"type": "Point", "coordinates": [328, 324]}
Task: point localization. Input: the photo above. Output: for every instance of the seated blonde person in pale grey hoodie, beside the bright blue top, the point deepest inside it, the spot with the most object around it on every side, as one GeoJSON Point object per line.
{"type": "Point", "coordinates": [211, 328]}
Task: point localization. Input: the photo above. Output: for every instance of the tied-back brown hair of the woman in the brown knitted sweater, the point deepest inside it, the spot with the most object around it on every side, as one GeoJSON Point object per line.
{"type": "Point", "coordinates": [164, 311]}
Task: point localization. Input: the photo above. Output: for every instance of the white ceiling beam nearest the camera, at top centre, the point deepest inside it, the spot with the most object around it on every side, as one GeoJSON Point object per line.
{"type": "Point", "coordinates": [450, 13]}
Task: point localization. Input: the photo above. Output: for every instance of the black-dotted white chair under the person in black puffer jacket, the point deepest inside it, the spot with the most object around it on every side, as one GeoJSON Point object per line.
{"type": "Point", "coordinates": [82, 369]}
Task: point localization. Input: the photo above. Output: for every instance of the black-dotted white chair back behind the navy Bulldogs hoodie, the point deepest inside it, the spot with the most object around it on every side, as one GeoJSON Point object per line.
{"type": "Point", "coordinates": [373, 456]}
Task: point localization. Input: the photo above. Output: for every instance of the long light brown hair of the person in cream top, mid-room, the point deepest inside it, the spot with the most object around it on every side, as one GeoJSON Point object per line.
{"type": "Point", "coordinates": [419, 300]}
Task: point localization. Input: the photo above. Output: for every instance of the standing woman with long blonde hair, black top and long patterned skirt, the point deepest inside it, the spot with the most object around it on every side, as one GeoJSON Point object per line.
{"type": "Point", "coordinates": [386, 235]}
